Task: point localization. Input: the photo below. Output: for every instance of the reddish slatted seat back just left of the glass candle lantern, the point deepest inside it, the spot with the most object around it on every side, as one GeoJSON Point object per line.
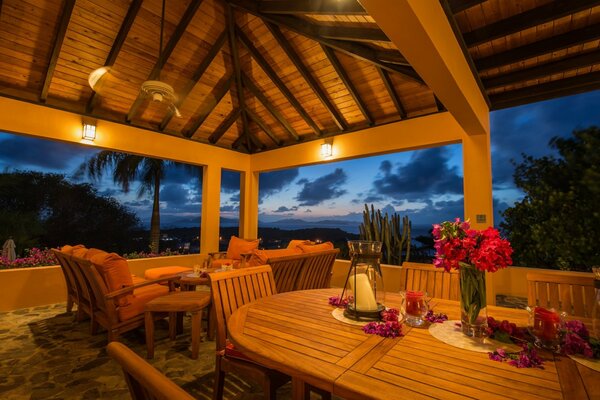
{"type": "Point", "coordinates": [316, 271]}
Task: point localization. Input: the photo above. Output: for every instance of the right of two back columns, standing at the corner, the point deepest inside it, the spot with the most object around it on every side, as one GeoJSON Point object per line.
{"type": "Point", "coordinates": [249, 205]}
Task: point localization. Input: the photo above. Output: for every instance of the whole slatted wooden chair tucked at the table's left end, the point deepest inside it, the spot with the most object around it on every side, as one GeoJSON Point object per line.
{"type": "Point", "coordinates": [230, 291]}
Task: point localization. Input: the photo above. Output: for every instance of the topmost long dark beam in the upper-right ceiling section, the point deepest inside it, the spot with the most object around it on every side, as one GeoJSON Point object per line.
{"type": "Point", "coordinates": [527, 19]}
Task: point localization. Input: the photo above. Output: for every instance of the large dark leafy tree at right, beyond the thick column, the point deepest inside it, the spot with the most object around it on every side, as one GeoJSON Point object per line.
{"type": "Point", "coordinates": [557, 224]}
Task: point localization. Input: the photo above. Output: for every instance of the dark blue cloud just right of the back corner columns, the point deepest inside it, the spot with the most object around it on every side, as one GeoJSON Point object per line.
{"type": "Point", "coordinates": [324, 188]}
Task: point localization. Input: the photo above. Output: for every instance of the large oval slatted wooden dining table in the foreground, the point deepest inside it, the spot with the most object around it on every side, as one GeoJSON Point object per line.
{"type": "Point", "coordinates": [295, 333]}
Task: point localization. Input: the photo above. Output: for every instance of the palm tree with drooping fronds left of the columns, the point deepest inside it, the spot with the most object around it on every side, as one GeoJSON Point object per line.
{"type": "Point", "coordinates": [126, 169]}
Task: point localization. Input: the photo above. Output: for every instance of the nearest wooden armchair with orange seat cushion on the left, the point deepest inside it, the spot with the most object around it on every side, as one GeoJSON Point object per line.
{"type": "Point", "coordinates": [120, 310]}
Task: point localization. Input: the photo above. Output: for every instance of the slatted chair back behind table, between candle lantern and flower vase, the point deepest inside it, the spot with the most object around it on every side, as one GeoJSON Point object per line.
{"type": "Point", "coordinates": [435, 281]}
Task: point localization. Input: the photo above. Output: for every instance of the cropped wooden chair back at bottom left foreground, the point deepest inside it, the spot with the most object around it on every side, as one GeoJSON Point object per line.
{"type": "Point", "coordinates": [144, 381]}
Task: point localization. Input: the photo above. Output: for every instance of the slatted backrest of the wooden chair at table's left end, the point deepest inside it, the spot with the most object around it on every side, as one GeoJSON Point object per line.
{"type": "Point", "coordinates": [233, 289]}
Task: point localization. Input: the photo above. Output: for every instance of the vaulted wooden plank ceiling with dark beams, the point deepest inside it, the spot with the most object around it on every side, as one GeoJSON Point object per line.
{"type": "Point", "coordinates": [257, 75]}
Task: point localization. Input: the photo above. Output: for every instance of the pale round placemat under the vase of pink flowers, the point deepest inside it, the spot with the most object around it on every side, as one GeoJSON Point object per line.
{"type": "Point", "coordinates": [449, 333]}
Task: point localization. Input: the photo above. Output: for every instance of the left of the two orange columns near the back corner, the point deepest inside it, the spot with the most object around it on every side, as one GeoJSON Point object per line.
{"type": "Point", "coordinates": [211, 208]}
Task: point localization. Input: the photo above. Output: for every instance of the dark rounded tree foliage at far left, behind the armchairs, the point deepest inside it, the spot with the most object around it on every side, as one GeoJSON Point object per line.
{"type": "Point", "coordinates": [40, 210]}
